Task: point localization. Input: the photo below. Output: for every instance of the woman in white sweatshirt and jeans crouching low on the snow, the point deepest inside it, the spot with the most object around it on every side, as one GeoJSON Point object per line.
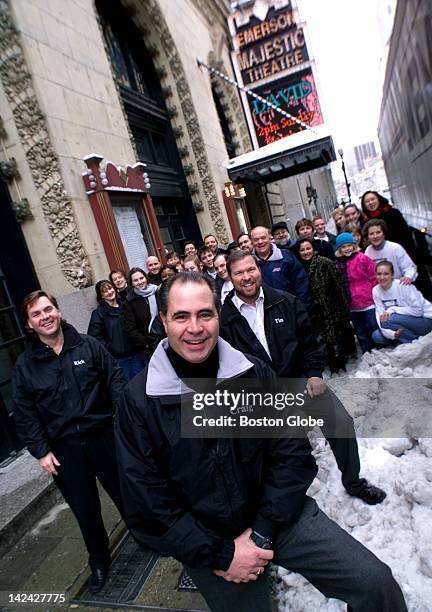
{"type": "Point", "coordinates": [402, 312]}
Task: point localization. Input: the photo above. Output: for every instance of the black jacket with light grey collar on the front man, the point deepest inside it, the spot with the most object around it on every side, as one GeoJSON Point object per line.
{"type": "Point", "coordinates": [189, 498]}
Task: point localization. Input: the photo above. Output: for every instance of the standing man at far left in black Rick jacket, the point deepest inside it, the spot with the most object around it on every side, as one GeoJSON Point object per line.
{"type": "Point", "coordinates": [65, 388]}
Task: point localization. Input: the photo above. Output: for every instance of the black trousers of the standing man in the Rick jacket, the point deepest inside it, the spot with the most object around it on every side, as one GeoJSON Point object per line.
{"type": "Point", "coordinates": [83, 458]}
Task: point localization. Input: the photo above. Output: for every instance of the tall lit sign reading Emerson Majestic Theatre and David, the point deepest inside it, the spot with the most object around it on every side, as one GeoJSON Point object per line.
{"type": "Point", "coordinates": [271, 60]}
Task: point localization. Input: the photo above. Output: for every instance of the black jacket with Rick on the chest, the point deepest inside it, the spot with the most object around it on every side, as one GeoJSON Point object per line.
{"type": "Point", "coordinates": [58, 395]}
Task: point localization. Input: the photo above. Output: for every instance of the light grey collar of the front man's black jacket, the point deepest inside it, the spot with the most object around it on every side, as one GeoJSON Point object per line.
{"type": "Point", "coordinates": [162, 380]}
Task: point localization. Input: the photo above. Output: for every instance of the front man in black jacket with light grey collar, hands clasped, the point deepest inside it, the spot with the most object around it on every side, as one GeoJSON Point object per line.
{"type": "Point", "coordinates": [226, 506]}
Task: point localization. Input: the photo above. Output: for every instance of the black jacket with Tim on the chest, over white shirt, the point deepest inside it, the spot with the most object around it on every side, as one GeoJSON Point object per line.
{"type": "Point", "coordinates": [290, 336]}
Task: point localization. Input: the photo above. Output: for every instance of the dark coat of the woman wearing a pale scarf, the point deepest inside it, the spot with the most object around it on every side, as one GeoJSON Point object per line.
{"type": "Point", "coordinates": [137, 319]}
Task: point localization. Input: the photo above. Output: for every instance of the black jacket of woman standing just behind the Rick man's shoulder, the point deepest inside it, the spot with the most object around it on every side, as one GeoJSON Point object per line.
{"type": "Point", "coordinates": [107, 325]}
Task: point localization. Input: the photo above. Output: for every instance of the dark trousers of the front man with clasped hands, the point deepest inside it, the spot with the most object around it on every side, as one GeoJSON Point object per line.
{"type": "Point", "coordinates": [326, 555]}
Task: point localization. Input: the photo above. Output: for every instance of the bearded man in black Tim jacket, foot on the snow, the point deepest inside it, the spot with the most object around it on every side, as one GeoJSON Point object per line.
{"type": "Point", "coordinates": [274, 326]}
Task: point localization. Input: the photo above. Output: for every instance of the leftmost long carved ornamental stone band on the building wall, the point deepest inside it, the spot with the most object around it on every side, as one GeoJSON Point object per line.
{"type": "Point", "coordinates": [43, 162]}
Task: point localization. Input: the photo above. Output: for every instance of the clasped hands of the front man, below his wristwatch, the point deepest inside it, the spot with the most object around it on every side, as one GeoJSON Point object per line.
{"type": "Point", "coordinates": [247, 561]}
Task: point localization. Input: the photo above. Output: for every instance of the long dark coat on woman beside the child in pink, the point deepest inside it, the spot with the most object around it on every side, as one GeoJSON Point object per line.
{"type": "Point", "coordinates": [330, 307]}
